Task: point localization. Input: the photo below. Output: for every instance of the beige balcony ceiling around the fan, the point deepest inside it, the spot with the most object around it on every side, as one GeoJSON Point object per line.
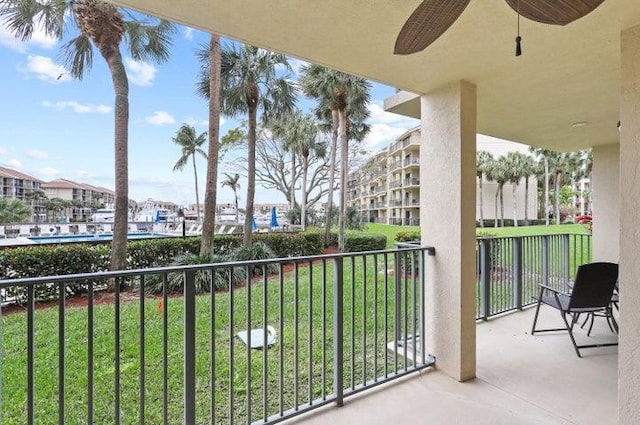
{"type": "Point", "coordinates": [566, 75]}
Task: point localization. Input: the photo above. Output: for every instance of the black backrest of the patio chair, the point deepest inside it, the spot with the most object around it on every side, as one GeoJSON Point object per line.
{"type": "Point", "coordinates": [594, 285]}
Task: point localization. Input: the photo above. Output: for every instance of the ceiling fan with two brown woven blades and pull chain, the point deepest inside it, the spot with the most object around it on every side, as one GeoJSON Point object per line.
{"type": "Point", "coordinates": [433, 17]}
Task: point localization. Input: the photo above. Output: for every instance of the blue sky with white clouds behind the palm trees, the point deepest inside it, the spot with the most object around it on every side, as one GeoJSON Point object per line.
{"type": "Point", "coordinates": [56, 127]}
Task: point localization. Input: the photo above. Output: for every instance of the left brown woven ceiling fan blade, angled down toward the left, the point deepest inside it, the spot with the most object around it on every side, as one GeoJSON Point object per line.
{"type": "Point", "coordinates": [428, 22]}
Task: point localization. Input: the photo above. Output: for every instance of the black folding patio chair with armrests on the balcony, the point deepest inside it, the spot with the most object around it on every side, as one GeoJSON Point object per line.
{"type": "Point", "coordinates": [592, 291]}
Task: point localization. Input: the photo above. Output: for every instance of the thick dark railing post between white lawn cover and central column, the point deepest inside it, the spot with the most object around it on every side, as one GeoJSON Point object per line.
{"type": "Point", "coordinates": [338, 327]}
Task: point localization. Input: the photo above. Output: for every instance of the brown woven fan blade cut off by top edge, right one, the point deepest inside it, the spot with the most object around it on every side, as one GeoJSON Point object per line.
{"type": "Point", "coordinates": [554, 12]}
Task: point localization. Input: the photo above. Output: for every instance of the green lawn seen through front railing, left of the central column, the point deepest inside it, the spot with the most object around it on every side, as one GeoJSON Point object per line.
{"type": "Point", "coordinates": [366, 357]}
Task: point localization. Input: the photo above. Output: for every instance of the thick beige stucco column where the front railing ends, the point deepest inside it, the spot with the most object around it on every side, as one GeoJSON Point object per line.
{"type": "Point", "coordinates": [447, 217]}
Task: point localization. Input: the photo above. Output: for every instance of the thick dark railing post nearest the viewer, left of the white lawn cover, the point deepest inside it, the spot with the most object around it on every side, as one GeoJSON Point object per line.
{"type": "Point", "coordinates": [190, 347]}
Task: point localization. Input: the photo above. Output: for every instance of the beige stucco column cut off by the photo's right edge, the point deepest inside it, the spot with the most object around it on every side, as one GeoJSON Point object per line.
{"type": "Point", "coordinates": [629, 349]}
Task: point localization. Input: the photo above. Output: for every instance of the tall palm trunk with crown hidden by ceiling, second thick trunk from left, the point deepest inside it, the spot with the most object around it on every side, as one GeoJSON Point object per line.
{"type": "Point", "coordinates": [210, 194]}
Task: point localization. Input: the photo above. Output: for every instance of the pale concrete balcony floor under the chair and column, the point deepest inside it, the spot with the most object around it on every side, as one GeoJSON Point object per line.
{"type": "Point", "coordinates": [521, 379]}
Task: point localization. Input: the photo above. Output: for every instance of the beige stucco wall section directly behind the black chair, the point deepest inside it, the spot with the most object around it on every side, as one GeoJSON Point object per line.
{"type": "Point", "coordinates": [606, 203]}
